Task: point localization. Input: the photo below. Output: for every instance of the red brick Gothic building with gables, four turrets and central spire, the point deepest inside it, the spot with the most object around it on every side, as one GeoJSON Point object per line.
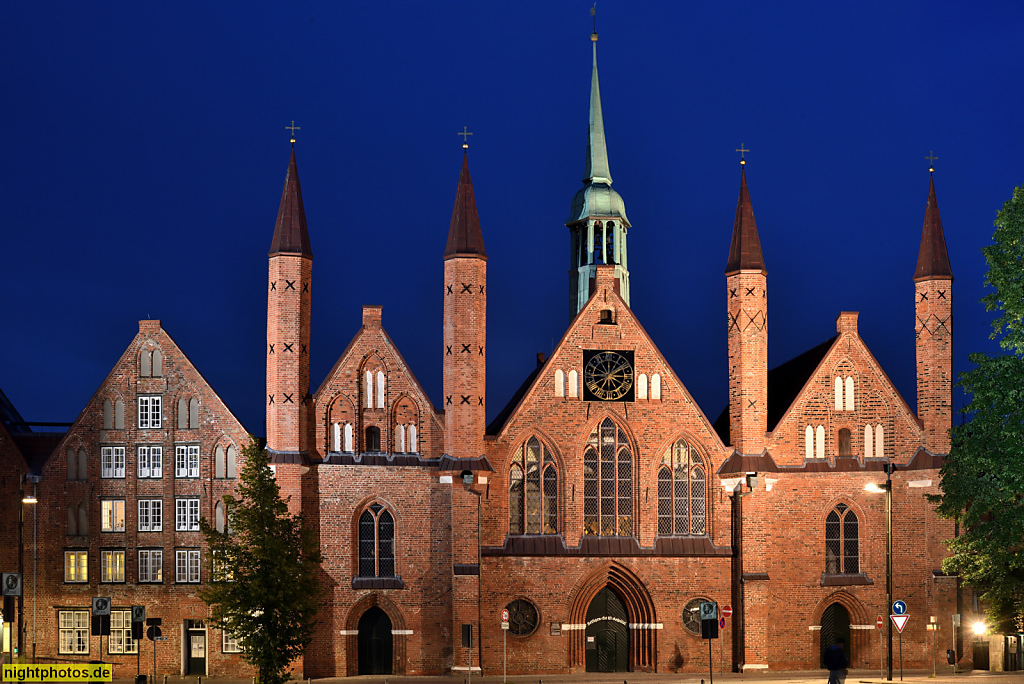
{"type": "Point", "coordinates": [601, 507]}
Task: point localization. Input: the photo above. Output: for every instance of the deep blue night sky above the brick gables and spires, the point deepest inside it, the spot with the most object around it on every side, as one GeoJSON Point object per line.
{"type": "Point", "coordinates": [144, 152]}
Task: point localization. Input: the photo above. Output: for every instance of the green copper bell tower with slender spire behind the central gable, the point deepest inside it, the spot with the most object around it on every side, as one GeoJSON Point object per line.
{"type": "Point", "coordinates": [598, 224]}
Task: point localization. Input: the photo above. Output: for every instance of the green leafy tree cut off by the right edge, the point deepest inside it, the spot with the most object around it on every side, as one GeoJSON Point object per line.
{"type": "Point", "coordinates": [983, 481]}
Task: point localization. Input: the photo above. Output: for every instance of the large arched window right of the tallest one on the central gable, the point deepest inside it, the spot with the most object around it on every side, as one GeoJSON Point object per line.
{"type": "Point", "coordinates": [682, 497]}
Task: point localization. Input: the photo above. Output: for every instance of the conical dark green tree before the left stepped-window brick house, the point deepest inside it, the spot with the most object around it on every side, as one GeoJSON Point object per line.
{"type": "Point", "coordinates": [264, 572]}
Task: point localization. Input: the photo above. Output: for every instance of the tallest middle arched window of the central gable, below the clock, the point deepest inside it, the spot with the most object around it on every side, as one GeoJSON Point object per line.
{"type": "Point", "coordinates": [608, 483]}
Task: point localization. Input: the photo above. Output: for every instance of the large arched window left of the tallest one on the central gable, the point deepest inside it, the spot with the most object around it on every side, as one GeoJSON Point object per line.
{"type": "Point", "coordinates": [533, 491]}
